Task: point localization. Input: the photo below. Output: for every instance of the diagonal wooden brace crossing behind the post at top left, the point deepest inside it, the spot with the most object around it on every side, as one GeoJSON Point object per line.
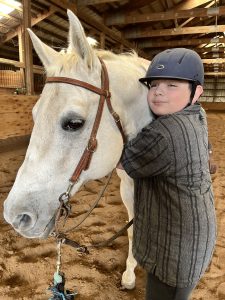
{"type": "Point", "coordinates": [34, 21]}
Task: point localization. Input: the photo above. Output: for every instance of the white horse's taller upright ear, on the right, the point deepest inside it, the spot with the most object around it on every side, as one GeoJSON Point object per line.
{"type": "Point", "coordinates": [78, 41]}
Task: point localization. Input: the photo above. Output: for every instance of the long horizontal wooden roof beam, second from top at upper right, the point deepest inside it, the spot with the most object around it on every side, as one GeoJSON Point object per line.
{"type": "Point", "coordinates": [149, 32]}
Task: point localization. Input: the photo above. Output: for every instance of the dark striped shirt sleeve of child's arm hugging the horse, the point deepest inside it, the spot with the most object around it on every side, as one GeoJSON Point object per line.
{"type": "Point", "coordinates": [146, 155]}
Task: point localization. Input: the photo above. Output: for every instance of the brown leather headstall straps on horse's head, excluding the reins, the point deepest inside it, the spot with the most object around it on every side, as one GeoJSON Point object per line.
{"type": "Point", "coordinates": [105, 95]}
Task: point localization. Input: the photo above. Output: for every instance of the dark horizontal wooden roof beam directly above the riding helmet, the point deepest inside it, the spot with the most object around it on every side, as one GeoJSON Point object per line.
{"type": "Point", "coordinates": [178, 43]}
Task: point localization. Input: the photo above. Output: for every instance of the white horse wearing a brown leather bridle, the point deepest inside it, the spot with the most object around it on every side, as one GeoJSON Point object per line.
{"type": "Point", "coordinates": [63, 118]}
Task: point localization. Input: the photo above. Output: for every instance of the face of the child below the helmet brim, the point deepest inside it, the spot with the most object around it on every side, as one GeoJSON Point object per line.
{"type": "Point", "coordinates": [167, 96]}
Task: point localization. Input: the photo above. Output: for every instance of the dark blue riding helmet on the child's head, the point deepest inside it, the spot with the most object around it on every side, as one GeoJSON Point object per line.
{"type": "Point", "coordinates": [177, 63]}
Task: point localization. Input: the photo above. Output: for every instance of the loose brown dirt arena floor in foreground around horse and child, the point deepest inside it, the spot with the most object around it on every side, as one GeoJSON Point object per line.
{"type": "Point", "coordinates": [27, 266]}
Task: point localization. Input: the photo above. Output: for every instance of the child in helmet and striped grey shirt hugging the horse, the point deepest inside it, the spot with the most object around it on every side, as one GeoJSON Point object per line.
{"type": "Point", "coordinates": [174, 215]}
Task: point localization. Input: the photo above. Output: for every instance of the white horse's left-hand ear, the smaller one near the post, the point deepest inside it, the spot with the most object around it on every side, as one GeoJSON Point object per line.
{"type": "Point", "coordinates": [46, 54]}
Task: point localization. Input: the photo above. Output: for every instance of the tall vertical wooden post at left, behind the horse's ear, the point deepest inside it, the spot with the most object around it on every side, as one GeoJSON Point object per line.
{"type": "Point", "coordinates": [28, 57]}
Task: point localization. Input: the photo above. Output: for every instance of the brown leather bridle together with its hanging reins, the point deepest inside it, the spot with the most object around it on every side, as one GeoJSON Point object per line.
{"type": "Point", "coordinates": [84, 162]}
